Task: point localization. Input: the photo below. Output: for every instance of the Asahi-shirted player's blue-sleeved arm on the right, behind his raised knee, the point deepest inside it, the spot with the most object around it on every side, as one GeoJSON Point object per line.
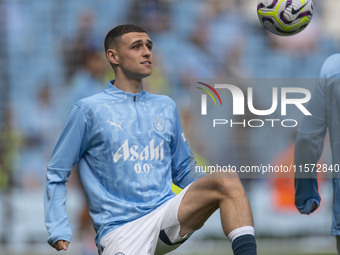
{"type": "Point", "coordinates": [184, 166]}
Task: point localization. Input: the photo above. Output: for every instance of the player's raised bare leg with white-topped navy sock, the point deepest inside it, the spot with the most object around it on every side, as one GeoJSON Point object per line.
{"type": "Point", "coordinates": [207, 195]}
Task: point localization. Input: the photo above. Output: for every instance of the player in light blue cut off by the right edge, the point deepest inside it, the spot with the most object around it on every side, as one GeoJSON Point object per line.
{"type": "Point", "coordinates": [325, 109]}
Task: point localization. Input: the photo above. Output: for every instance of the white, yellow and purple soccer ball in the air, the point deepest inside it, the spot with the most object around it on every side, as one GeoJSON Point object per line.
{"type": "Point", "coordinates": [285, 17]}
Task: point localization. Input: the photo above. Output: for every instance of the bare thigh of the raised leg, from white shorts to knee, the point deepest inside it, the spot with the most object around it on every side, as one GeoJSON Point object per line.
{"type": "Point", "coordinates": [202, 199]}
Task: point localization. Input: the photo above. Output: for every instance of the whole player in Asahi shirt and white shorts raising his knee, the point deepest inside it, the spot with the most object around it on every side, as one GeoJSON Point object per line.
{"type": "Point", "coordinates": [130, 147]}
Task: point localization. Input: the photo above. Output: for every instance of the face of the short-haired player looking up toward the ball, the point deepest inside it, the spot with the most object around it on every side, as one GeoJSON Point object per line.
{"type": "Point", "coordinates": [135, 55]}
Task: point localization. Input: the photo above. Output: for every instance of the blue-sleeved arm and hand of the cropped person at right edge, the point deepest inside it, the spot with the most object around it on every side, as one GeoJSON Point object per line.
{"type": "Point", "coordinates": [308, 150]}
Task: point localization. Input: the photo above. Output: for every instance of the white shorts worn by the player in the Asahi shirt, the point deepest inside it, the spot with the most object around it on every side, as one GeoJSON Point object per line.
{"type": "Point", "coordinates": [154, 233]}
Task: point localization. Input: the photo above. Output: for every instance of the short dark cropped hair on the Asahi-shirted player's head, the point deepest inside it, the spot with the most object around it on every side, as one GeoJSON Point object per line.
{"type": "Point", "coordinates": [113, 36]}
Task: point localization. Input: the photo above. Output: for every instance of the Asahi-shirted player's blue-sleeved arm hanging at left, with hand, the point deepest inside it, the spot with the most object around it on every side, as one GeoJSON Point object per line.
{"type": "Point", "coordinates": [71, 145]}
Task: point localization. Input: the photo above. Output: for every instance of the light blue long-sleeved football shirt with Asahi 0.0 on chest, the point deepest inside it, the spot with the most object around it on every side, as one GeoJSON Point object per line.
{"type": "Point", "coordinates": [129, 149]}
